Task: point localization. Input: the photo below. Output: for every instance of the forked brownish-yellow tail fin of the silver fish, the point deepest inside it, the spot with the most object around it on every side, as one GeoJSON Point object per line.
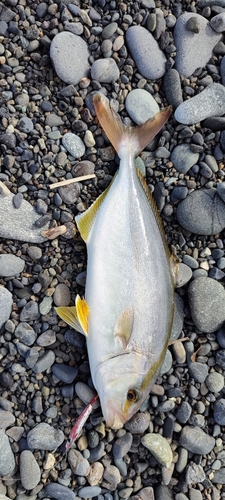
{"type": "Point", "coordinates": [117, 132]}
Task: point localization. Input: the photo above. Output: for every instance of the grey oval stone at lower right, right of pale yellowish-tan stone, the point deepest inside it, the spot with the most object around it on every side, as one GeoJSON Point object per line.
{"type": "Point", "coordinates": [196, 440]}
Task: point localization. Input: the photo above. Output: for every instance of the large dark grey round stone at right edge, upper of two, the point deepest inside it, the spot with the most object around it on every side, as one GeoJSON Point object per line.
{"type": "Point", "coordinates": [202, 212]}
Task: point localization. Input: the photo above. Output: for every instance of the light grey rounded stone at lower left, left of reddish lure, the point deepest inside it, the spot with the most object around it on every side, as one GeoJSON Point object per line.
{"type": "Point", "coordinates": [44, 437]}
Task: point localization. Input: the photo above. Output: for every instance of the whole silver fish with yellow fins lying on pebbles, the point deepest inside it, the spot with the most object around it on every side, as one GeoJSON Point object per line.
{"type": "Point", "coordinates": [127, 311]}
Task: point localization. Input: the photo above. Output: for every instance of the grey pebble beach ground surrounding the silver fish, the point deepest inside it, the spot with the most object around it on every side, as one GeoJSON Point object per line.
{"type": "Point", "coordinates": [142, 55]}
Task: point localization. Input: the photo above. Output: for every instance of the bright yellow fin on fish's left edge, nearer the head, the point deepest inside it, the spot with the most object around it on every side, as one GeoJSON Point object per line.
{"type": "Point", "coordinates": [75, 316]}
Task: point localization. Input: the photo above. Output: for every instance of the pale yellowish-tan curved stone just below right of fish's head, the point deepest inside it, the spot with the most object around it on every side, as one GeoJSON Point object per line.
{"type": "Point", "coordinates": [159, 447]}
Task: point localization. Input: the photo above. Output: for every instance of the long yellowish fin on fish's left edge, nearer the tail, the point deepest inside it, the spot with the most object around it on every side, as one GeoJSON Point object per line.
{"type": "Point", "coordinates": [85, 221]}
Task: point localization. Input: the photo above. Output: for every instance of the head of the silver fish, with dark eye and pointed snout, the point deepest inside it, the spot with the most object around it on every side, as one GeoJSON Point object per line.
{"type": "Point", "coordinates": [123, 383]}
